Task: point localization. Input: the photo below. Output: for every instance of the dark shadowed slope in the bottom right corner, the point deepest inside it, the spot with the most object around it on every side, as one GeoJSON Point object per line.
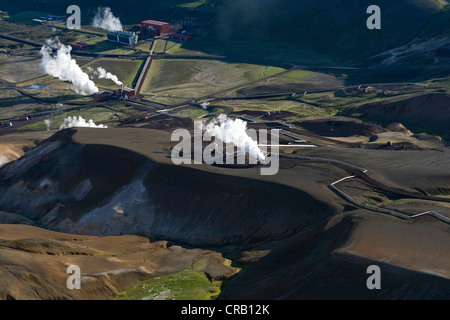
{"type": "Point", "coordinates": [313, 268]}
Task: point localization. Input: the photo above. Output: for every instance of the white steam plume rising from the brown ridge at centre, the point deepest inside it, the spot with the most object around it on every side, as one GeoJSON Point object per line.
{"type": "Point", "coordinates": [233, 131]}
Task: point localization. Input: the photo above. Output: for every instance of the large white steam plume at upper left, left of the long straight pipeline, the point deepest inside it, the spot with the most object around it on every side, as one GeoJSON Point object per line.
{"type": "Point", "coordinates": [57, 62]}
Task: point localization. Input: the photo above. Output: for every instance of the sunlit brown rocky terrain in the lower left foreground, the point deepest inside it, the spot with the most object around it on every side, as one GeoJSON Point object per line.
{"type": "Point", "coordinates": [35, 262]}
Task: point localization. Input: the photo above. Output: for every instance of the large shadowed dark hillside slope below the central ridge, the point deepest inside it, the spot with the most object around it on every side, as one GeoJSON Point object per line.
{"type": "Point", "coordinates": [105, 190]}
